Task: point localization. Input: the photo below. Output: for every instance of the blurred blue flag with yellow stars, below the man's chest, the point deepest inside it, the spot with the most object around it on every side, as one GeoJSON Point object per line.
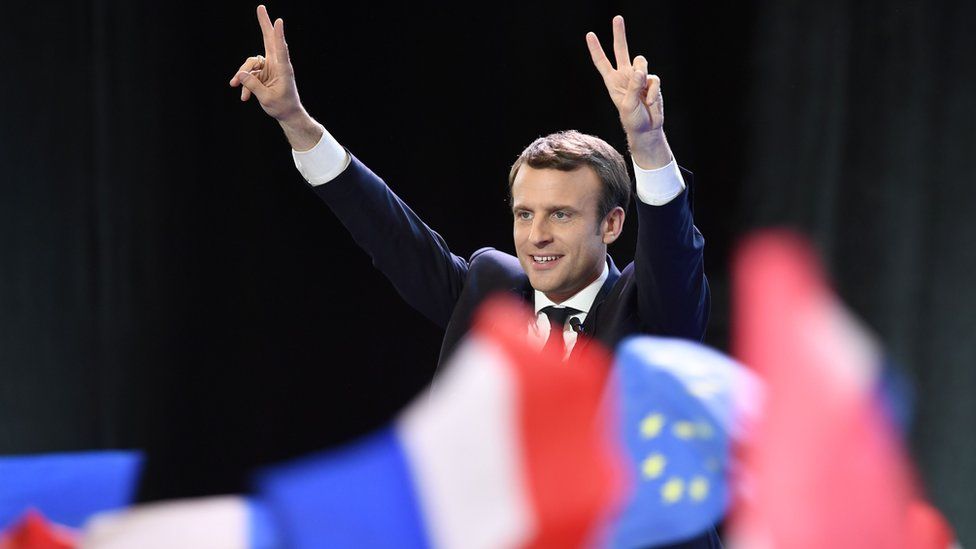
{"type": "Point", "coordinates": [682, 403]}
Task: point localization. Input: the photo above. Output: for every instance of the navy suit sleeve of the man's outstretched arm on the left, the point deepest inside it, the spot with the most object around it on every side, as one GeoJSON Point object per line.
{"type": "Point", "coordinates": [414, 257]}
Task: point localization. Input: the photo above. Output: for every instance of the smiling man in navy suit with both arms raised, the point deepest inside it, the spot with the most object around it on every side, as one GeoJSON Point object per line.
{"type": "Point", "coordinates": [569, 194]}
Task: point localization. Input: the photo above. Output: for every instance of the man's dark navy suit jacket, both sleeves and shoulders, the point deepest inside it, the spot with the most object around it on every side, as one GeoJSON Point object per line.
{"type": "Point", "coordinates": [663, 291]}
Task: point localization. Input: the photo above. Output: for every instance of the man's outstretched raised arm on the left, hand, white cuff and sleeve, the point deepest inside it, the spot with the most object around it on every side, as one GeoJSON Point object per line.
{"type": "Point", "coordinates": [415, 258]}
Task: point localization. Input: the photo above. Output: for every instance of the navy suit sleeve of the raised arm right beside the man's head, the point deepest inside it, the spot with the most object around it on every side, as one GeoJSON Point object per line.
{"type": "Point", "coordinates": [672, 291]}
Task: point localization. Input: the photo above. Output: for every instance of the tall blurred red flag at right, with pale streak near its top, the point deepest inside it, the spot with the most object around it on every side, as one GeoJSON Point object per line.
{"type": "Point", "coordinates": [824, 466]}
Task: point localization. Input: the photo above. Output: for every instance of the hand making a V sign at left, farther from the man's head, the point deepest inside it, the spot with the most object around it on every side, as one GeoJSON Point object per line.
{"type": "Point", "coordinates": [270, 77]}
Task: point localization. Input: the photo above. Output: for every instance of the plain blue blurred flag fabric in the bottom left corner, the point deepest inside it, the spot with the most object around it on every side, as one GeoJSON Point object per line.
{"type": "Point", "coordinates": [67, 488]}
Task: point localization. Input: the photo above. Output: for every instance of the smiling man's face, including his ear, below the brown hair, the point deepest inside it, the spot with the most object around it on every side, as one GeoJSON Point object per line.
{"type": "Point", "coordinates": [559, 241]}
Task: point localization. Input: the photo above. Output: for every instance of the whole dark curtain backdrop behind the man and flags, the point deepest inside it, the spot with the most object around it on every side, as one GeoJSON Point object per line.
{"type": "Point", "coordinates": [168, 282]}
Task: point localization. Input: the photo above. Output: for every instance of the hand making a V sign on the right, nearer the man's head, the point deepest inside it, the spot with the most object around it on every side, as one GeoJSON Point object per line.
{"type": "Point", "coordinates": [637, 96]}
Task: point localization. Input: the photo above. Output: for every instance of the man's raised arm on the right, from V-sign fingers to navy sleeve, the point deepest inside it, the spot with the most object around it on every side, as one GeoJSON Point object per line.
{"type": "Point", "coordinates": [672, 290]}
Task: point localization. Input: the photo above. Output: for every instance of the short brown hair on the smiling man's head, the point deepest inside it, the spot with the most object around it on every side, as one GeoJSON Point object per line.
{"type": "Point", "coordinates": [570, 149]}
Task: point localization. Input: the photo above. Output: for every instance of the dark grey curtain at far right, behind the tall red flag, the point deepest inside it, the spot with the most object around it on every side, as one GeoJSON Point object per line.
{"type": "Point", "coordinates": [863, 119]}
